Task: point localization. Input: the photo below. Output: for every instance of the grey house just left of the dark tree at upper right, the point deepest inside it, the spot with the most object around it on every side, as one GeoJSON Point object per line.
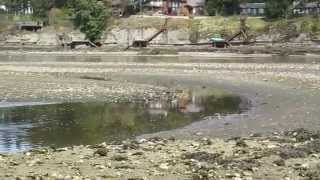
{"type": "Point", "coordinates": [253, 9]}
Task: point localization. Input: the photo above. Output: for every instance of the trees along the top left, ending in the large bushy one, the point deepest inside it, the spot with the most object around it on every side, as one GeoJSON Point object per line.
{"type": "Point", "coordinates": [89, 16]}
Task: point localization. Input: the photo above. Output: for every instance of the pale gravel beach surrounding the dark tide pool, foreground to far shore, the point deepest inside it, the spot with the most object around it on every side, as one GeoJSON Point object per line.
{"type": "Point", "coordinates": [283, 91]}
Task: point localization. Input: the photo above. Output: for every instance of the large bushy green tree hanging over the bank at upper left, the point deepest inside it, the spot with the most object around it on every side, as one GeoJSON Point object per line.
{"type": "Point", "coordinates": [91, 17]}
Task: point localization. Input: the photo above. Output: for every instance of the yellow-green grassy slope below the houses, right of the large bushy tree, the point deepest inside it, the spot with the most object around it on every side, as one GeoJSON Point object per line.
{"type": "Point", "coordinates": [207, 26]}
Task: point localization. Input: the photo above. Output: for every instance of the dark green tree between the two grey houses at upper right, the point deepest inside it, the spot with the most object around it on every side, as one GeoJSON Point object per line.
{"type": "Point", "coordinates": [277, 8]}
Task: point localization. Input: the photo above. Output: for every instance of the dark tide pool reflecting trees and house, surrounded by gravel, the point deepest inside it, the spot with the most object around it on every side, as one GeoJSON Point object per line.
{"type": "Point", "coordinates": [68, 124]}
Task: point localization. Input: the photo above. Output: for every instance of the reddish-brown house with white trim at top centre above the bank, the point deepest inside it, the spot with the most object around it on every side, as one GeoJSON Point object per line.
{"type": "Point", "coordinates": [175, 7]}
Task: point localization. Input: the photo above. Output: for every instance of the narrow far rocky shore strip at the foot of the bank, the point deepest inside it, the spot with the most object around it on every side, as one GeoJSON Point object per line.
{"type": "Point", "coordinates": [283, 49]}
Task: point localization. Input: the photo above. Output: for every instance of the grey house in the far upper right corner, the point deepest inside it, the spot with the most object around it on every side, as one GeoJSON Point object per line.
{"type": "Point", "coordinates": [307, 8]}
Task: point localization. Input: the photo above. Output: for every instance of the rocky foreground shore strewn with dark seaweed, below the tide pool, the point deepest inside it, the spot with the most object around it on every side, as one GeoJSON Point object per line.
{"type": "Point", "coordinates": [289, 155]}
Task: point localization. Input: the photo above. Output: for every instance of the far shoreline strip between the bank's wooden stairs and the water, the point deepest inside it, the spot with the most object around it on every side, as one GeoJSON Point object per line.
{"type": "Point", "coordinates": [278, 49]}
